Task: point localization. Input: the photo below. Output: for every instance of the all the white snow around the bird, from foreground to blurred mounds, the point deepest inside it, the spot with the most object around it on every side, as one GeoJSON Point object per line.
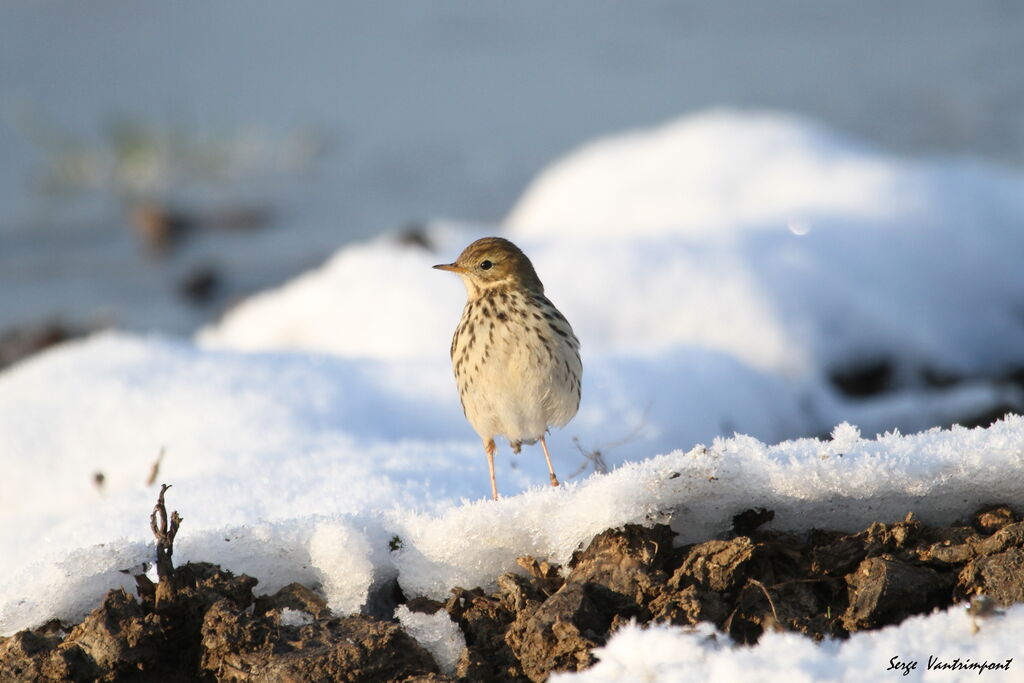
{"type": "Point", "coordinates": [315, 436]}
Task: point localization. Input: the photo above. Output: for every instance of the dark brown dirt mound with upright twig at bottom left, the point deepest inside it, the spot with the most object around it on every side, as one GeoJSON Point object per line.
{"type": "Point", "coordinates": [214, 629]}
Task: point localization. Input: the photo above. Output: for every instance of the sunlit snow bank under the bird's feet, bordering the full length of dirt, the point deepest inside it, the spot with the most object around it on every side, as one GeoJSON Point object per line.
{"type": "Point", "coordinates": [346, 475]}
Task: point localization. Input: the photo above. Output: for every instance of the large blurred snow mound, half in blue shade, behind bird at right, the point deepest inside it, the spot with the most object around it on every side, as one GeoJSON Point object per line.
{"type": "Point", "coordinates": [844, 253]}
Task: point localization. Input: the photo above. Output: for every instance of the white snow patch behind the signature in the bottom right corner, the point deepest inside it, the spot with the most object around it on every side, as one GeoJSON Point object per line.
{"type": "Point", "coordinates": [956, 641]}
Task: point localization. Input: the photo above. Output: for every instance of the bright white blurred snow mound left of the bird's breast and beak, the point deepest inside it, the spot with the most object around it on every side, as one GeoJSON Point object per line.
{"type": "Point", "coordinates": [378, 300]}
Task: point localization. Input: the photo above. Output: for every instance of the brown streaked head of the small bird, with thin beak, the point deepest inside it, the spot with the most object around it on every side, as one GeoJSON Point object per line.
{"type": "Point", "coordinates": [494, 264]}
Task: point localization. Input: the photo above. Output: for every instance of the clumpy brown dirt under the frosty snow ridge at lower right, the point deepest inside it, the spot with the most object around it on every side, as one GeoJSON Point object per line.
{"type": "Point", "coordinates": [826, 585]}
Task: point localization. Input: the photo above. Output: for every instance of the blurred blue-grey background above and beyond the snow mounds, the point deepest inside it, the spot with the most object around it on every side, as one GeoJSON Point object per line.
{"type": "Point", "coordinates": [160, 161]}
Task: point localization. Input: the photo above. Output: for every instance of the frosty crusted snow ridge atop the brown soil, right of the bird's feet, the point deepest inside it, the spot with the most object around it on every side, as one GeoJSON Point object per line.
{"type": "Point", "coordinates": [844, 484]}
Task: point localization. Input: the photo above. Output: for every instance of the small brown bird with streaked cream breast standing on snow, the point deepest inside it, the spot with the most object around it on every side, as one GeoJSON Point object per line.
{"type": "Point", "coordinates": [516, 357]}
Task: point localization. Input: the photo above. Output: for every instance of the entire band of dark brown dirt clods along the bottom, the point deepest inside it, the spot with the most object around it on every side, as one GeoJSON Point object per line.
{"type": "Point", "coordinates": [207, 625]}
